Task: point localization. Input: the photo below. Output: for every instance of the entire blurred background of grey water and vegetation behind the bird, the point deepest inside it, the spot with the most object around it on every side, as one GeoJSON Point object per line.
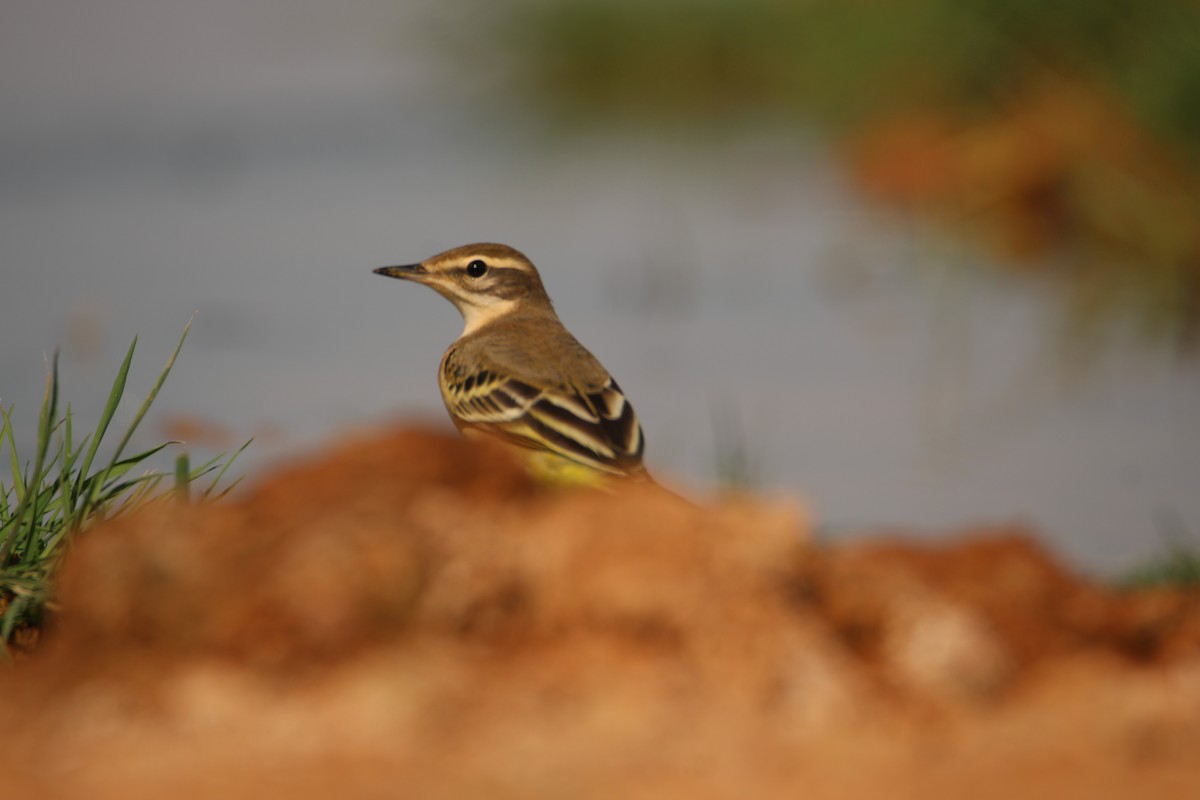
{"type": "Point", "coordinates": [926, 263]}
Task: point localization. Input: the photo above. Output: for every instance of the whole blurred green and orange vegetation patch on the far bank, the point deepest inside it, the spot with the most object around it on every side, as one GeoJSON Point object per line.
{"type": "Point", "coordinates": [1064, 136]}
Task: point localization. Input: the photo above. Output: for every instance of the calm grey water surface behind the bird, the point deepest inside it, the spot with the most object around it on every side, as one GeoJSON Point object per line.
{"type": "Point", "coordinates": [164, 163]}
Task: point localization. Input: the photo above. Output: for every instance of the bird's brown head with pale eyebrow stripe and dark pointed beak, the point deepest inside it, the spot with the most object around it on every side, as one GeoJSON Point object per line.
{"type": "Point", "coordinates": [484, 281]}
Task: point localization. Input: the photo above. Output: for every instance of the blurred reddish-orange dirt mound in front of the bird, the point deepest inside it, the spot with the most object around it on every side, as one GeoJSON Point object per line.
{"type": "Point", "coordinates": [410, 617]}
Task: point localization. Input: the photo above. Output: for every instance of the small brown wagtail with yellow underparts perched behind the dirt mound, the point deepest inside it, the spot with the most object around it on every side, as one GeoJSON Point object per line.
{"type": "Point", "coordinates": [518, 376]}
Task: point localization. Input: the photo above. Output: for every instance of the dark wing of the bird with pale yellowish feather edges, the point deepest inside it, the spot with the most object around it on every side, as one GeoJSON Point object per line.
{"type": "Point", "coordinates": [599, 430]}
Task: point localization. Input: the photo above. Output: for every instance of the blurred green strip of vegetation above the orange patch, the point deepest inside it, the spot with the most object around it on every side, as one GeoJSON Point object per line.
{"type": "Point", "coordinates": [844, 62]}
